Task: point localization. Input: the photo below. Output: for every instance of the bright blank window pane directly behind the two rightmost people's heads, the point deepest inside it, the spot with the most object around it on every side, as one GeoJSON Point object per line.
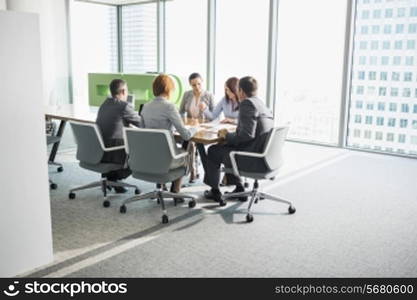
{"type": "Point", "coordinates": [241, 42]}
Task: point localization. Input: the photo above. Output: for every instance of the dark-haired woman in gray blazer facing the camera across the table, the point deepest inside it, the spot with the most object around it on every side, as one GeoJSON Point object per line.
{"type": "Point", "coordinates": [197, 104]}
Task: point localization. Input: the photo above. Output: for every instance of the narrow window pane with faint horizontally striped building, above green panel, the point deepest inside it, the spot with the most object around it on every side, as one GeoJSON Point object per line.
{"type": "Point", "coordinates": [139, 38]}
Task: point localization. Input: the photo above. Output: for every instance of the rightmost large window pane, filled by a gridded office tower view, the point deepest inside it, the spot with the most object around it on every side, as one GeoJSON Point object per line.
{"type": "Point", "coordinates": [400, 66]}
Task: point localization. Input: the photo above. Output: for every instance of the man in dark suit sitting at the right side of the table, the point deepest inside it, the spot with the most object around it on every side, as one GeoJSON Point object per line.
{"type": "Point", "coordinates": [254, 124]}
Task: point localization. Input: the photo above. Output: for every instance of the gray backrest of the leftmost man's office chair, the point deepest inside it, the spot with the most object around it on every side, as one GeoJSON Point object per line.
{"type": "Point", "coordinates": [90, 146]}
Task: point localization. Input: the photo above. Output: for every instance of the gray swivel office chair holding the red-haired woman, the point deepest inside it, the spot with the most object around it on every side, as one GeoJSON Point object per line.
{"type": "Point", "coordinates": [153, 157]}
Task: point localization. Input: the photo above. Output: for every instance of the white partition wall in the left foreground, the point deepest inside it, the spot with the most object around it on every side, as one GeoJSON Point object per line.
{"type": "Point", "coordinates": [25, 218]}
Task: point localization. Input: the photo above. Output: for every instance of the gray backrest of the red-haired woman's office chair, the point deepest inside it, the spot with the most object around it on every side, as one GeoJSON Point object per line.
{"type": "Point", "coordinates": [151, 151]}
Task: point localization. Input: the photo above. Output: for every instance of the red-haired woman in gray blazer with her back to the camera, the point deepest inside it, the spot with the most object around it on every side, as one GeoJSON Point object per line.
{"type": "Point", "coordinates": [161, 113]}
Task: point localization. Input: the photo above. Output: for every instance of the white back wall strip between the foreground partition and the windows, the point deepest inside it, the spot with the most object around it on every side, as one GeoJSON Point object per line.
{"type": "Point", "coordinates": [54, 45]}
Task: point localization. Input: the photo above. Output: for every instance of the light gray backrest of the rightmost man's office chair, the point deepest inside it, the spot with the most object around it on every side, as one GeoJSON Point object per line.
{"type": "Point", "coordinates": [274, 147]}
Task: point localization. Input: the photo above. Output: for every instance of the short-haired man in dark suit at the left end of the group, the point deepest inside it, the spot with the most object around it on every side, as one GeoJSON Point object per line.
{"type": "Point", "coordinates": [113, 115]}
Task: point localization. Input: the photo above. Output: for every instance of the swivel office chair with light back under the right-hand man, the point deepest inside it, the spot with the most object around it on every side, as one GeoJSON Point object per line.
{"type": "Point", "coordinates": [268, 163]}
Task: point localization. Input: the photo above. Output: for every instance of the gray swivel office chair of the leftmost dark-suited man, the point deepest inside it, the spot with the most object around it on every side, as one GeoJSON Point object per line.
{"type": "Point", "coordinates": [90, 150]}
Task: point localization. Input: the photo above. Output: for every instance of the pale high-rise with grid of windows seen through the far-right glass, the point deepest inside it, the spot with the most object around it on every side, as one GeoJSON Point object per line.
{"type": "Point", "coordinates": [395, 78]}
